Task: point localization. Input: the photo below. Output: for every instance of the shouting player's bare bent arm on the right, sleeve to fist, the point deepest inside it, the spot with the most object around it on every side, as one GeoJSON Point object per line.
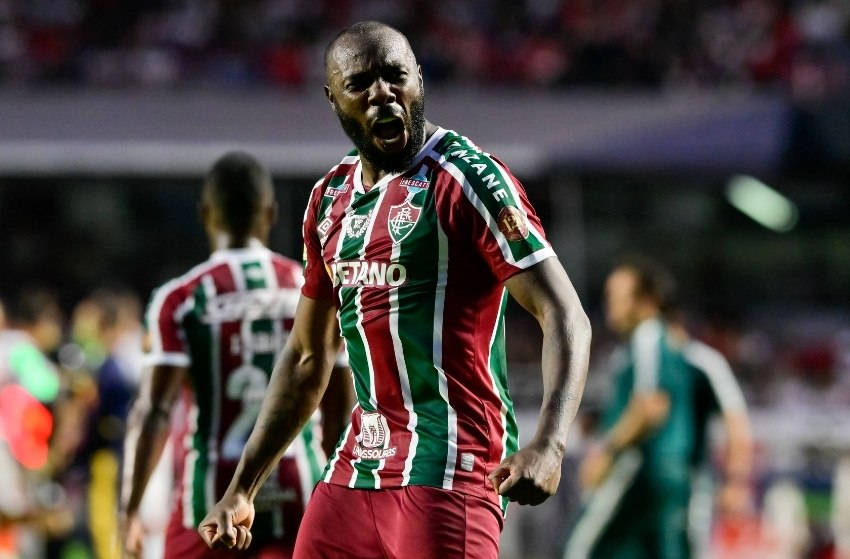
{"type": "Point", "coordinates": [532, 475]}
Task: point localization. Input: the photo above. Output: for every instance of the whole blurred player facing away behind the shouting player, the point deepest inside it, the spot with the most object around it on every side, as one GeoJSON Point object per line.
{"type": "Point", "coordinates": [212, 338]}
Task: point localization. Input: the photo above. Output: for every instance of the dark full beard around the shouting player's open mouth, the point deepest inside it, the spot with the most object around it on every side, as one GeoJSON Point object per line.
{"type": "Point", "coordinates": [382, 161]}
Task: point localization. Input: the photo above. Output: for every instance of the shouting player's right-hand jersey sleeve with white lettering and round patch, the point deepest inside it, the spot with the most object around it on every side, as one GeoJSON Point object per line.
{"type": "Point", "coordinates": [493, 210]}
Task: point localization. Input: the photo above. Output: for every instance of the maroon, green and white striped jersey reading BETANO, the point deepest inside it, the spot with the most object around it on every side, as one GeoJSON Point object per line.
{"type": "Point", "coordinates": [416, 264]}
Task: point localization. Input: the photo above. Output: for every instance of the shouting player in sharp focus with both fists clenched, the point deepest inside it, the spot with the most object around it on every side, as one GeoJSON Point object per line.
{"type": "Point", "coordinates": [412, 243]}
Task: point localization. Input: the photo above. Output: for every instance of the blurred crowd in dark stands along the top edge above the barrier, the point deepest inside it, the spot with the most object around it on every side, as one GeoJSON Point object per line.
{"type": "Point", "coordinates": [802, 46]}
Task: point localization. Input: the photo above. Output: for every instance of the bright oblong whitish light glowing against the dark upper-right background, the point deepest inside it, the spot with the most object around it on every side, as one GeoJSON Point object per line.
{"type": "Point", "coordinates": [761, 203]}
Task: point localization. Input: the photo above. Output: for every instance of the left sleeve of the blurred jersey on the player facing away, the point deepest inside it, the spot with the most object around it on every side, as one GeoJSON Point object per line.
{"type": "Point", "coordinates": [165, 339]}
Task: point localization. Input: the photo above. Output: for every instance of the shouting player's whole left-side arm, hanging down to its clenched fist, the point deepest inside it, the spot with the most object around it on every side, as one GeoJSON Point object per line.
{"type": "Point", "coordinates": [296, 386]}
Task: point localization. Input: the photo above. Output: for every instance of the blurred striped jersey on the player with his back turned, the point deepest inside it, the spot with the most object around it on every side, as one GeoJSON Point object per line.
{"type": "Point", "coordinates": [225, 321]}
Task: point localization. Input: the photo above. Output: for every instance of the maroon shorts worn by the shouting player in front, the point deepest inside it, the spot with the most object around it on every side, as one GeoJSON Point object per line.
{"type": "Point", "coordinates": [413, 522]}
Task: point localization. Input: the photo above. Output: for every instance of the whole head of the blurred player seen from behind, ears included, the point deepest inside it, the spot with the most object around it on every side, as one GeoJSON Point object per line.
{"type": "Point", "coordinates": [237, 203]}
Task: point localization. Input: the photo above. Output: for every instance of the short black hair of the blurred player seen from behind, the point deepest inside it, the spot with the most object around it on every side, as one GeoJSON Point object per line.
{"type": "Point", "coordinates": [238, 187]}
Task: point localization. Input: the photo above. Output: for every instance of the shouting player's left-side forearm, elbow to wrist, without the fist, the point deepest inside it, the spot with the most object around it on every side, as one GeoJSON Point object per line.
{"type": "Point", "coordinates": [295, 389]}
